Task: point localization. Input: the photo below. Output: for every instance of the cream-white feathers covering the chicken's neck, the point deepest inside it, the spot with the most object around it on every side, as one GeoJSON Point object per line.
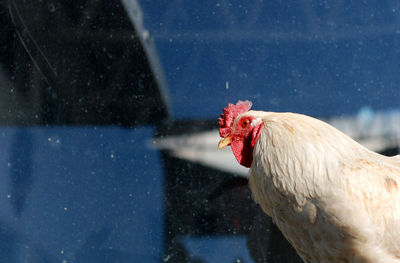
{"type": "Point", "coordinates": [295, 153]}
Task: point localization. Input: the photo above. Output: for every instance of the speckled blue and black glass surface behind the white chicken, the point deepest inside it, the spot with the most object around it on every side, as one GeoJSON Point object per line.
{"type": "Point", "coordinates": [107, 106]}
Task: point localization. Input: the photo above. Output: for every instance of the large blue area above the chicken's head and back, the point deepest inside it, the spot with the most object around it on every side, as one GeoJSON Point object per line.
{"type": "Point", "coordinates": [322, 58]}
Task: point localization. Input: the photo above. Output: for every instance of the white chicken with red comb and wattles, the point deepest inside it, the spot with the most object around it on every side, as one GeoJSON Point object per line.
{"type": "Point", "coordinates": [333, 199]}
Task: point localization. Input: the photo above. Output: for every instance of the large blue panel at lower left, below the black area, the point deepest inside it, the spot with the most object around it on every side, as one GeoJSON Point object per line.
{"type": "Point", "coordinates": [79, 195]}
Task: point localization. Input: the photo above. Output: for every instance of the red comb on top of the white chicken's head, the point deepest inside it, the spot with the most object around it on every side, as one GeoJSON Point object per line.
{"type": "Point", "coordinates": [230, 113]}
